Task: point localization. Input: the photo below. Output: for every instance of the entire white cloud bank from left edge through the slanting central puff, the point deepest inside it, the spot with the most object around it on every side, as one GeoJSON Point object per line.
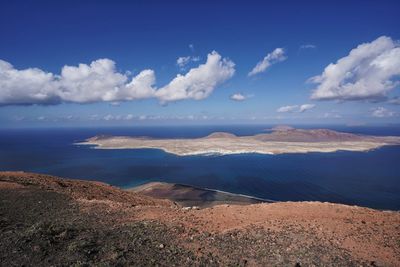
{"type": "Point", "coordinates": [100, 81]}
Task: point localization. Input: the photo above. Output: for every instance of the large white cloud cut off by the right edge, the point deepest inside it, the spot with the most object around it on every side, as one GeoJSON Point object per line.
{"type": "Point", "coordinates": [369, 72]}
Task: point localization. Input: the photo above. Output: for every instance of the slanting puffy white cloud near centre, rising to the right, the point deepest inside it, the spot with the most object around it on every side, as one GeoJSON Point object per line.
{"type": "Point", "coordinates": [199, 82]}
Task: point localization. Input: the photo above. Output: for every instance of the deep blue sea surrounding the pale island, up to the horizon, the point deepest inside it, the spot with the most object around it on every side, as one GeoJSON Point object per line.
{"type": "Point", "coordinates": [369, 179]}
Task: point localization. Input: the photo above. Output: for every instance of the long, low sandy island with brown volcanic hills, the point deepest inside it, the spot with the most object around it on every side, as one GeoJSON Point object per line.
{"type": "Point", "coordinates": [279, 141]}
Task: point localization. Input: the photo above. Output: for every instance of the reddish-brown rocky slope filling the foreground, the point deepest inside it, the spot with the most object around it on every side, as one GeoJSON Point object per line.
{"type": "Point", "coordinates": [46, 220]}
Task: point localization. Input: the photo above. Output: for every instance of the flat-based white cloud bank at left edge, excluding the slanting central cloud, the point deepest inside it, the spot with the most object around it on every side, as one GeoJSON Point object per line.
{"type": "Point", "coordinates": [96, 82]}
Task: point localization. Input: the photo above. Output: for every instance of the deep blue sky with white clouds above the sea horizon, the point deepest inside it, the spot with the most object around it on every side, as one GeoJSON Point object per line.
{"type": "Point", "coordinates": [106, 63]}
